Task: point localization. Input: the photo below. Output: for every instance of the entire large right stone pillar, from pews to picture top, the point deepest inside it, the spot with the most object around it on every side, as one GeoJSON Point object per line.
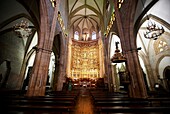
{"type": "Point", "coordinates": [125, 25]}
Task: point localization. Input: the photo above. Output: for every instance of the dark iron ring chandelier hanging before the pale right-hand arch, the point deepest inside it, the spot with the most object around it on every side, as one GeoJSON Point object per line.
{"type": "Point", "coordinates": [153, 31]}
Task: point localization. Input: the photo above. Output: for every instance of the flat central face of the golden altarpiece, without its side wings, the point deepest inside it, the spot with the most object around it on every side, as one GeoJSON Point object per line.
{"type": "Point", "coordinates": [85, 60]}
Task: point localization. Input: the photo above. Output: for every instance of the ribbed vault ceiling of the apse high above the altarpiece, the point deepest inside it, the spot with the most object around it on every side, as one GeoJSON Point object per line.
{"type": "Point", "coordinates": [85, 13]}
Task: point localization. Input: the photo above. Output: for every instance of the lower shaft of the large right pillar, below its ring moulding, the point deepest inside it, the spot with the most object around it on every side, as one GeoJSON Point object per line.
{"type": "Point", "coordinates": [137, 88]}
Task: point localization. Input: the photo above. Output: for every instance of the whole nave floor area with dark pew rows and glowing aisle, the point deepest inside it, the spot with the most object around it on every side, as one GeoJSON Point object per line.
{"type": "Point", "coordinates": [81, 101]}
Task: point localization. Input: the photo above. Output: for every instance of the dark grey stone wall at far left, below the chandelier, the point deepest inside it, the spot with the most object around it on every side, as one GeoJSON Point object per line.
{"type": "Point", "coordinates": [12, 50]}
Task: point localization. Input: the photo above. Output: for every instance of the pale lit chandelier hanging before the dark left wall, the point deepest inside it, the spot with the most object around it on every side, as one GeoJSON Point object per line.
{"type": "Point", "coordinates": [22, 29]}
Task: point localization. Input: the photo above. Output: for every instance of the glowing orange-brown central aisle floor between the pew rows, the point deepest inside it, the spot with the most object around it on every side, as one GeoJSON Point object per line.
{"type": "Point", "coordinates": [84, 103]}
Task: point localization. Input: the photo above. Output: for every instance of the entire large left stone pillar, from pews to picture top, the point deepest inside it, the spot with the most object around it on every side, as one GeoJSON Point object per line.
{"type": "Point", "coordinates": [38, 78]}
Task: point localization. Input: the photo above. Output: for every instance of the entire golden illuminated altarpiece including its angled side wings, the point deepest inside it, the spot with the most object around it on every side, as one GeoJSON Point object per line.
{"type": "Point", "coordinates": [85, 60]}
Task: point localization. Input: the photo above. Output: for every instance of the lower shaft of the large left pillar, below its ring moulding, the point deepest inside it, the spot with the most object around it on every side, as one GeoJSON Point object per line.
{"type": "Point", "coordinates": [38, 77]}
